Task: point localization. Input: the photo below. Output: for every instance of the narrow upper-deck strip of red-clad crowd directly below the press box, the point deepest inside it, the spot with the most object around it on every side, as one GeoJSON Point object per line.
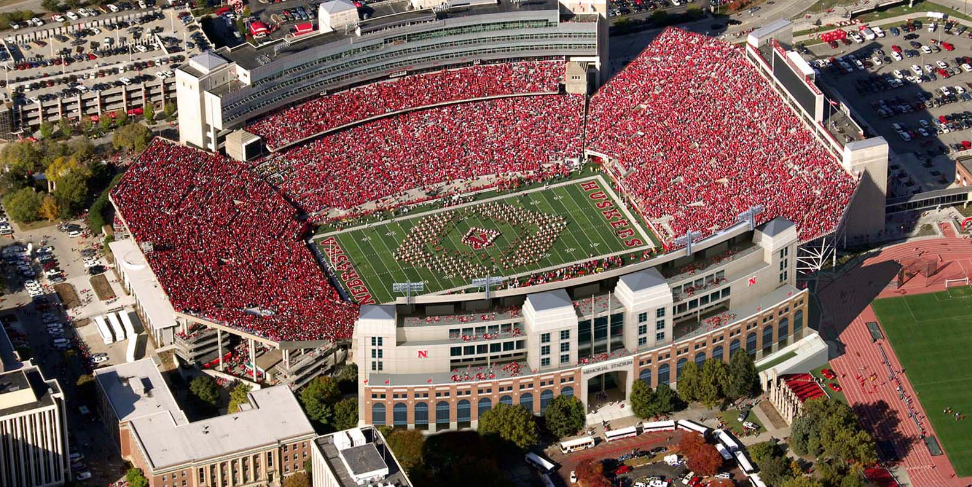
{"type": "Point", "coordinates": [406, 93]}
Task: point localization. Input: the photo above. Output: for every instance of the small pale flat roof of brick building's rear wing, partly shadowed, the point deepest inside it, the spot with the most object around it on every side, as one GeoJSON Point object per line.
{"type": "Point", "coordinates": [137, 389]}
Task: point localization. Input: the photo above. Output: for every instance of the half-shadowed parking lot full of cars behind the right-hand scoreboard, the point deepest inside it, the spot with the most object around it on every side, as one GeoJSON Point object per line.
{"type": "Point", "coordinates": [924, 117]}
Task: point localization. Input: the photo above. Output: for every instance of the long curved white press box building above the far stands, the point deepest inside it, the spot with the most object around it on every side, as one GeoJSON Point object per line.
{"type": "Point", "coordinates": [220, 91]}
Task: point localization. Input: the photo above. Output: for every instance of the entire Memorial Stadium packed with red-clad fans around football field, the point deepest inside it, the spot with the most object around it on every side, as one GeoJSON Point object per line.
{"type": "Point", "coordinates": [495, 230]}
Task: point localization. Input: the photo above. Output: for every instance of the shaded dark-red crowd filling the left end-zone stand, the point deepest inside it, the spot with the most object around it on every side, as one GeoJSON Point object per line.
{"type": "Point", "coordinates": [227, 247]}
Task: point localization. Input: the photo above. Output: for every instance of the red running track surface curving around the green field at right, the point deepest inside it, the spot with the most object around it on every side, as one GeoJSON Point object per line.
{"type": "Point", "coordinates": [847, 306]}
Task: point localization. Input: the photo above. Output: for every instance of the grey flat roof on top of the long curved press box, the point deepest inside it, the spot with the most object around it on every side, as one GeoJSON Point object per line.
{"type": "Point", "coordinates": [382, 17]}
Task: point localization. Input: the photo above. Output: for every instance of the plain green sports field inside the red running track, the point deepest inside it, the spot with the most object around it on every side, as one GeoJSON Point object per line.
{"type": "Point", "coordinates": [932, 337]}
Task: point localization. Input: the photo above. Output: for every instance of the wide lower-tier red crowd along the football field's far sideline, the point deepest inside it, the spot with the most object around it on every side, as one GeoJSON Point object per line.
{"type": "Point", "coordinates": [504, 137]}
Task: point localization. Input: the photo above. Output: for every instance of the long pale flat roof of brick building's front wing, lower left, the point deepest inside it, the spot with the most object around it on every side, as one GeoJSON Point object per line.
{"type": "Point", "coordinates": [272, 415]}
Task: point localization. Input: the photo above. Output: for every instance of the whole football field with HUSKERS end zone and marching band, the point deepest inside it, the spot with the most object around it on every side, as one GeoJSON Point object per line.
{"type": "Point", "coordinates": [507, 235]}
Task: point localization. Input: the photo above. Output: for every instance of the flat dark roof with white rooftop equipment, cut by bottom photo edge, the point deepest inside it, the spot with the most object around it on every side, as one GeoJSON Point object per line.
{"type": "Point", "coordinates": [369, 457]}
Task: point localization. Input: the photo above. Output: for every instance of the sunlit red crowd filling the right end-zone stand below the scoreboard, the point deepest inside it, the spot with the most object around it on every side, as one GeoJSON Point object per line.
{"type": "Point", "coordinates": [705, 138]}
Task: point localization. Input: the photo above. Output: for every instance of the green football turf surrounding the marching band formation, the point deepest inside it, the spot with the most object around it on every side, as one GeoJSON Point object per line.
{"type": "Point", "coordinates": [371, 249]}
